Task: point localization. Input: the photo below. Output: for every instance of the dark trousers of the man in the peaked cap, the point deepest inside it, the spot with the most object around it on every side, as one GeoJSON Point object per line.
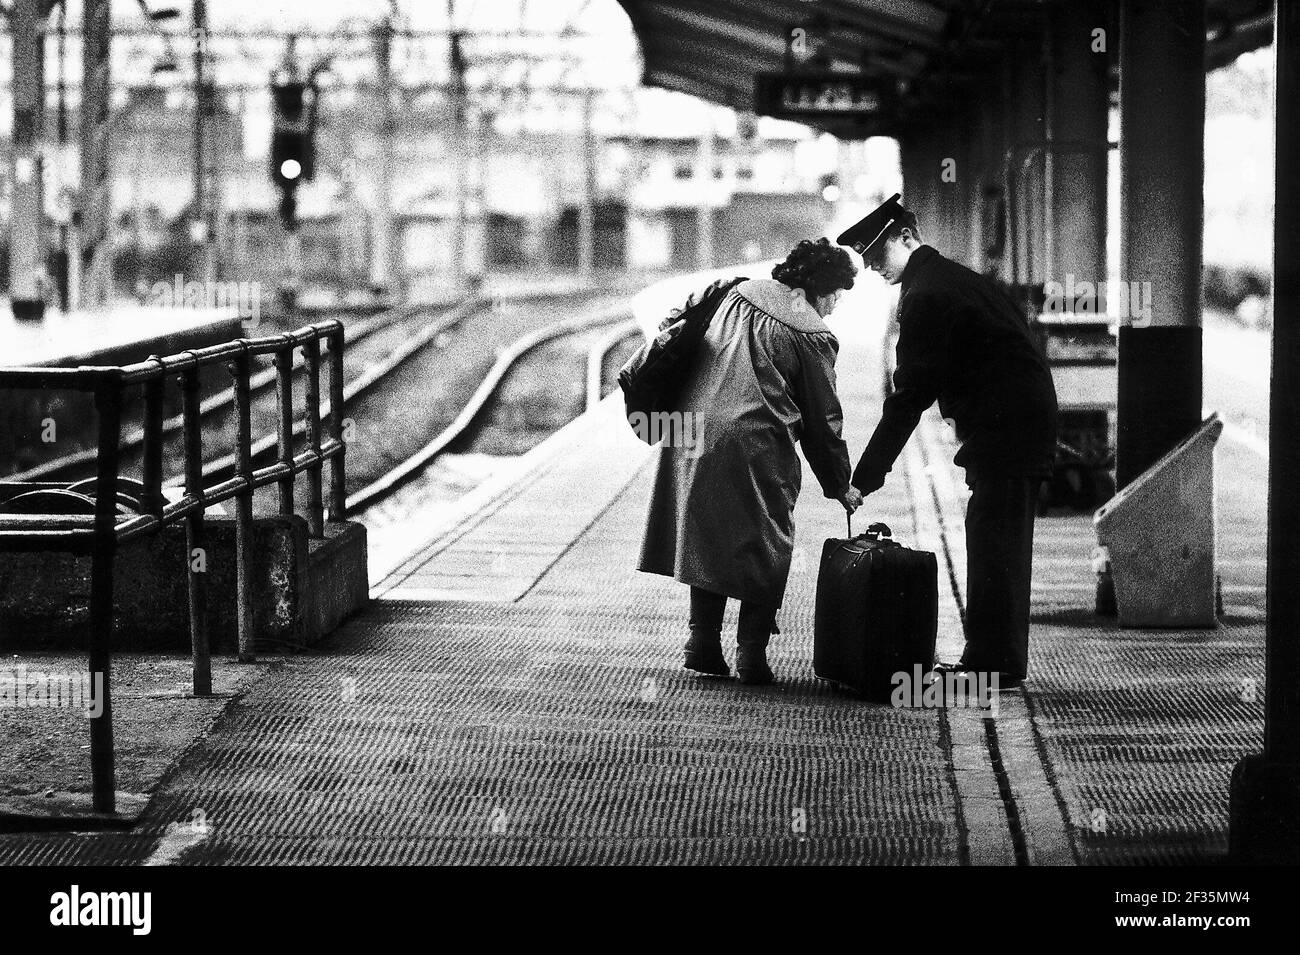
{"type": "Point", "coordinates": [999, 567]}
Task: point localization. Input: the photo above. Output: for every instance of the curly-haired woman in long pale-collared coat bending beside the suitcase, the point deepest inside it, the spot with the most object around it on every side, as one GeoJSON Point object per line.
{"type": "Point", "coordinates": [722, 511]}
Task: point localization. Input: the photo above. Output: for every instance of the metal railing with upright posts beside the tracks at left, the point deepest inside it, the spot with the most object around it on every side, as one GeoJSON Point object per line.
{"type": "Point", "coordinates": [102, 535]}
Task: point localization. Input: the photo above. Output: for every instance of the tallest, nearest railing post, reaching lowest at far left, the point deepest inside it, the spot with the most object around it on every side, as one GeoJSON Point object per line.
{"type": "Point", "coordinates": [109, 407]}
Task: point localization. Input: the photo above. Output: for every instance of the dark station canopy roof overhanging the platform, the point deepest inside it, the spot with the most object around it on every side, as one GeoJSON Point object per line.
{"type": "Point", "coordinates": [922, 51]}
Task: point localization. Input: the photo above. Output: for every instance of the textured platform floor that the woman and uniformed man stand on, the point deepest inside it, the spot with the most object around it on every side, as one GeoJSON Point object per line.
{"type": "Point", "coordinates": [513, 693]}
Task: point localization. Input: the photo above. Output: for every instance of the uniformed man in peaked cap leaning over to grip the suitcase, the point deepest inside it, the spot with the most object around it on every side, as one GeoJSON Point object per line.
{"type": "Point", "coordinates": [965, 344]}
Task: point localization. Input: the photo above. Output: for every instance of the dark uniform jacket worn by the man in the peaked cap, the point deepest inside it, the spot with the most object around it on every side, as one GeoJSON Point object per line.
{"type": "Point", "coordinates": [964, 344]}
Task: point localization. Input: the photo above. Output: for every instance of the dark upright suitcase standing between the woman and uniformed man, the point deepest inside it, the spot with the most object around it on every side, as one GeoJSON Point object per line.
{"type": "Point", "coordinates": [877, 614]}
